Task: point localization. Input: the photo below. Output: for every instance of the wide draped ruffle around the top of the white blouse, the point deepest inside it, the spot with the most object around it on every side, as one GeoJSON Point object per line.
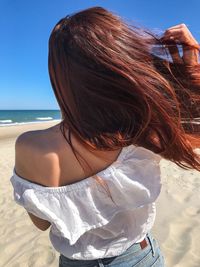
{"type": "Point", "coordinates": [133, 181]}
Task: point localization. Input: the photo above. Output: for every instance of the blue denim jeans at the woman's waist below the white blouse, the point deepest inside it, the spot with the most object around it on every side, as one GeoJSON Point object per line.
{"type": "Point", "coordinates": [134, 256]}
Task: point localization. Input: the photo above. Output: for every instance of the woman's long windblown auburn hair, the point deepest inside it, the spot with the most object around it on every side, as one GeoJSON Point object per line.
{"type": "Point", "coordinates": [114, 90]}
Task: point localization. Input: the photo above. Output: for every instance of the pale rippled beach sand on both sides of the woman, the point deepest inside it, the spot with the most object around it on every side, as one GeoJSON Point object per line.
{"type": "Point", "coordinates": [177, 226]}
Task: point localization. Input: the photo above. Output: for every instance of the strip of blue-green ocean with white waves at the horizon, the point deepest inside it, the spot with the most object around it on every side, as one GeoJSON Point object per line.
{"type": "Point", "coordinates": [17, 117]}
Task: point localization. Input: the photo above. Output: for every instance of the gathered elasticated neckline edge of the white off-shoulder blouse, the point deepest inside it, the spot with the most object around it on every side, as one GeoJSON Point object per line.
{"type": "Point", "coordinates": [77, 185]}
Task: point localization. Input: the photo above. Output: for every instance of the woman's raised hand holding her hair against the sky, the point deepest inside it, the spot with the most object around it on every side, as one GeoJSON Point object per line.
{"type": "Point", "coordinates": [180, 34]}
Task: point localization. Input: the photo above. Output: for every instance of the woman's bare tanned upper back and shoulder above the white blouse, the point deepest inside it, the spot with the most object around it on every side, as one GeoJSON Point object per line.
{"type": "Point", "coordinates": [44, 157]}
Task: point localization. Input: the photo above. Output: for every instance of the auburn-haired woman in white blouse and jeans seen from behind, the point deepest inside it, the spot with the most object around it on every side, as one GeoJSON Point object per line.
{"type": "Point", "coordinates": [123, 108]}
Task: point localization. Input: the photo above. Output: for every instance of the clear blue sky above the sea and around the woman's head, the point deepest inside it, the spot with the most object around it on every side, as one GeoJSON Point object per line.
{"type": "Point", "coordinates": [25, 30]}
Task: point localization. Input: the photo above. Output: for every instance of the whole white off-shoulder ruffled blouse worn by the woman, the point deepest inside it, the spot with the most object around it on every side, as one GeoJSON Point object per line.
{"type": "Point", "coordinates": [85, 222]}
